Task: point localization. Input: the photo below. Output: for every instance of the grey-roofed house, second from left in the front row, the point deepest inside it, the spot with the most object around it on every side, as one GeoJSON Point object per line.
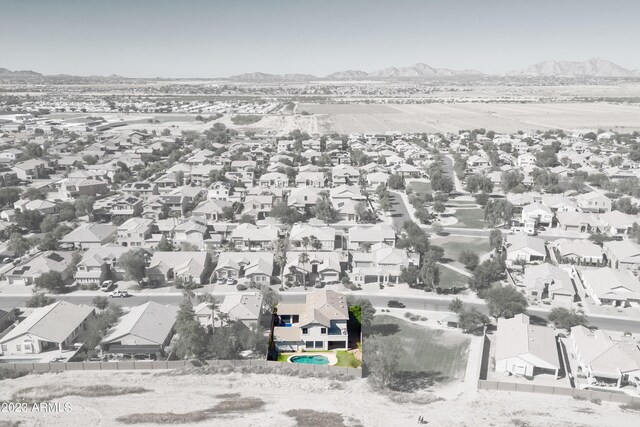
{"type": "Point", "coordinates": [145, 329]}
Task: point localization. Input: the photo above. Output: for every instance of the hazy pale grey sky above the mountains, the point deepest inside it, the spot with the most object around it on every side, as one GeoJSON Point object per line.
{"type": "Point", "coordinates": [199, 38]}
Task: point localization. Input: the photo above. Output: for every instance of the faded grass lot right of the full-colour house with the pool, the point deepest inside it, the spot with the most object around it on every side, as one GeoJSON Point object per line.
{"type": "Point", "coordinates": [441, 353]}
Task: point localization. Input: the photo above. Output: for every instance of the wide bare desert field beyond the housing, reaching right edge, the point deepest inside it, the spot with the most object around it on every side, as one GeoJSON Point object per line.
{"type": "Point", "coordinates": [500, 117]}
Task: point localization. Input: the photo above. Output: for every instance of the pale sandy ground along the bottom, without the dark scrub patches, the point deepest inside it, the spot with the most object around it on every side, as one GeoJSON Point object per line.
{"type": "Point", "coordinates": [354, 400]}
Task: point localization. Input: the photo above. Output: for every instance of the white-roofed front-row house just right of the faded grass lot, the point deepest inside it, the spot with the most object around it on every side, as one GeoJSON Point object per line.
{"type": "Point", "coordinates": [525, 350]}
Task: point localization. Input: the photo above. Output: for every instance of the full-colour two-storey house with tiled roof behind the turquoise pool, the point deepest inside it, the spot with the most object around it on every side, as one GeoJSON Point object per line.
{"type": "Point", "coordinates": [320, 323]}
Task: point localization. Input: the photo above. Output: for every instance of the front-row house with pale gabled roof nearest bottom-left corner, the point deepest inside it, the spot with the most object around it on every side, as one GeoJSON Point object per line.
{"type": "Point", "coordinates": [52, 327]}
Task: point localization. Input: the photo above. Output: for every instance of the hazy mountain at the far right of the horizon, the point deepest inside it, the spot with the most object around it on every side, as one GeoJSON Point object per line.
{"type": "Point", "coordinates": [588, 68]}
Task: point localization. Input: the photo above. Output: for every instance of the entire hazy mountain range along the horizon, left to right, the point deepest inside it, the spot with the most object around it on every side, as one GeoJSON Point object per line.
{"type": "Point", "coordinates": [570, 69]}
